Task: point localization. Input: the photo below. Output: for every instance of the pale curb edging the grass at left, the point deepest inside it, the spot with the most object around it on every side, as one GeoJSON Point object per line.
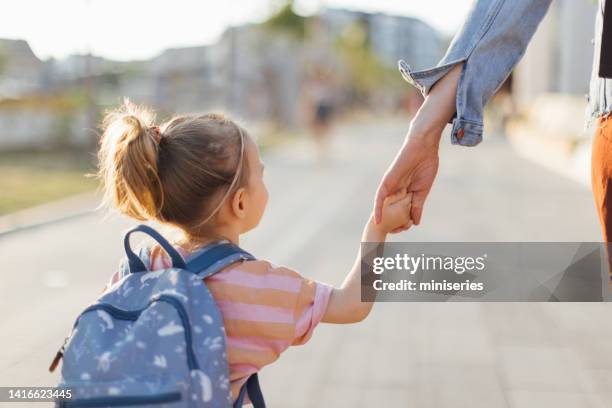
{"type": "Point", "coordinates": [55, 211]}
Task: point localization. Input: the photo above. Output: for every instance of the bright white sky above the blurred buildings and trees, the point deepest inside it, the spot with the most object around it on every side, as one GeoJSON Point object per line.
{"type": "Point", "coordinates": [140, 29]}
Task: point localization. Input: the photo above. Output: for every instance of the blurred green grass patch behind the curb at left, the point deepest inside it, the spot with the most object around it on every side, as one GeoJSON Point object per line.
{"type": "Point", "coordinates": [28, 179]}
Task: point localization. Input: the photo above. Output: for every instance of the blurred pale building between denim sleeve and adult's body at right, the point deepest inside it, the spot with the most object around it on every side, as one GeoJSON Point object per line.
{"type": "Point", "coordinates": [550, 87]}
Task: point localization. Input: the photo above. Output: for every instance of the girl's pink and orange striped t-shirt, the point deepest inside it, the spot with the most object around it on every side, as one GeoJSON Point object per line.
{"type": "Point", "coordinates": [265, 309]}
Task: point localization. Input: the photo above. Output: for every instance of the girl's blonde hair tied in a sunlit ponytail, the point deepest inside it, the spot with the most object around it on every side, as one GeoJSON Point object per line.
{"type": "Point", "coordinates": [178, 173]}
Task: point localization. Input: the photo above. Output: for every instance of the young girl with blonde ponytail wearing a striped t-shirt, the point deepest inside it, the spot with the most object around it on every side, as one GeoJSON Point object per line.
{"type": "Point", "coordinates": [203, 174]}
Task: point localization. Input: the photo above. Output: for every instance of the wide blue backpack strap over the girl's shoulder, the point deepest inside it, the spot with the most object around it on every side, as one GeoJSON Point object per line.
{"type": "Point", "coordinates": [212, 258]}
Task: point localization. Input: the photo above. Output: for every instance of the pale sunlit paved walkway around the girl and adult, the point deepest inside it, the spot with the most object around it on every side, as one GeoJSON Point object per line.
{"type": "Point", "coordinates": [405, 354]}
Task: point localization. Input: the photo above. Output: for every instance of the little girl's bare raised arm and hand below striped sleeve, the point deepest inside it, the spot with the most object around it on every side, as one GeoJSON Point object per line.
{"type": "Point", "coordinates": [345, 305]}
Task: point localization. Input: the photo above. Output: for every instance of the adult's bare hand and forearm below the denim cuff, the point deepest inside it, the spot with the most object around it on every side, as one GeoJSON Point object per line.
{"type": "Point", "coordinates": [416, 165]}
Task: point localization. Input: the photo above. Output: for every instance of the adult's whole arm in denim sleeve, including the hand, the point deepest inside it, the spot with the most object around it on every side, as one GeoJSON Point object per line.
{"type": "Point", "coordinates": [479, 59]}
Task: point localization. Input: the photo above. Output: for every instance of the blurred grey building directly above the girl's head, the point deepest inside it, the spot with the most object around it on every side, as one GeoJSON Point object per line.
{"type": "Point", "coordinates": [249, 71]}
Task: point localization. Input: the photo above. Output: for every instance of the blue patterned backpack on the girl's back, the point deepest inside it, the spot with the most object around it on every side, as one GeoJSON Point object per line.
{"type": "Point", "coordinates": [156, 338]}
